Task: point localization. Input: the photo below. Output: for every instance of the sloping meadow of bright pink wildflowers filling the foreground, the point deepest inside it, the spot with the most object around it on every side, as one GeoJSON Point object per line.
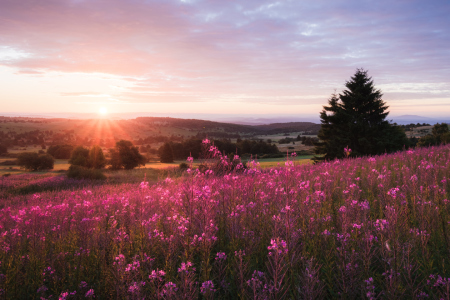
{"type": "Point", "coordinates": [356, 228]}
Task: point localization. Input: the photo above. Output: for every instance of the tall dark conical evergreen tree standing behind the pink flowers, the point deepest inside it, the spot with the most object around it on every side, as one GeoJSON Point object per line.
{"type": "Point", "coordinates": [357, 119]}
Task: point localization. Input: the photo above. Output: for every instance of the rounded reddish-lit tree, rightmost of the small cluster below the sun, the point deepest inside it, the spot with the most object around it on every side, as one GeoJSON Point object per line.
{"type": "Point", "coordinates": [126, 156]}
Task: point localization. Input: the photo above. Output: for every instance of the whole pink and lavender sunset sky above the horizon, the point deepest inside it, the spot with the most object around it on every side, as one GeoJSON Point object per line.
{"type": "Point", "coordinates": [251, 57]}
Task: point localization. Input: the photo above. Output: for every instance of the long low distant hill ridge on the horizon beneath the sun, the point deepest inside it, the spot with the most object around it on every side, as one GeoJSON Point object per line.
{"type": "Point", "coordinates": [22, 131]}
